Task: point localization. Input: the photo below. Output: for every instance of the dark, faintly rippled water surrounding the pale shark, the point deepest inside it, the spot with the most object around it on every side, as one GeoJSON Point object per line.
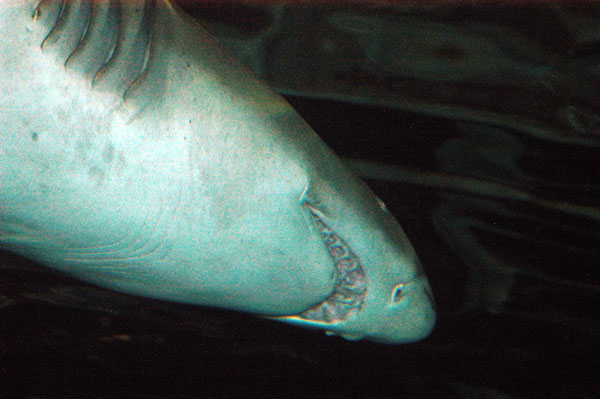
{"type": "Point", "coordinates": [495, 179]}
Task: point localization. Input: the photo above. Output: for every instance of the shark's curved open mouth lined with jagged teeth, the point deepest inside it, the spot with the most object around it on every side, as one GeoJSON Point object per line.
{"type": "Point", "coordinates": [351, 283]}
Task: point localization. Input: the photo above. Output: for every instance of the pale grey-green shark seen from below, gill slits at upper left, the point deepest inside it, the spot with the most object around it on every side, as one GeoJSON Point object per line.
{"type": "Point", "coordinates": [138, 155]}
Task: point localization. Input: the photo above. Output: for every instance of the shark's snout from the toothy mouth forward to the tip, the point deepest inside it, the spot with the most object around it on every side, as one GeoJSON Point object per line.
{"type": "Point", "coordinates": [381, 291]}
